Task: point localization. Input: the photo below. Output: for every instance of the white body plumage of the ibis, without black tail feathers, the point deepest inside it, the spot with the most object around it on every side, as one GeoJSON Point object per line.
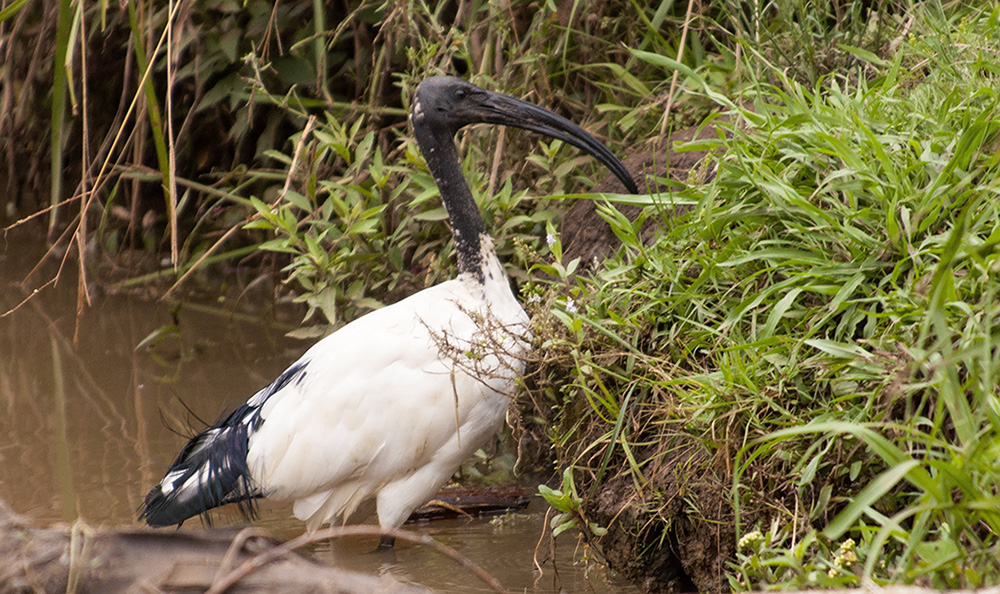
{"type": "Point", "coordinates": [320, 443]}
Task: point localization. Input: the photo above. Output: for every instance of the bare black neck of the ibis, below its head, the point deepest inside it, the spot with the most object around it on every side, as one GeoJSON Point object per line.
{"type": "Point", "coordinates": [467, 226]}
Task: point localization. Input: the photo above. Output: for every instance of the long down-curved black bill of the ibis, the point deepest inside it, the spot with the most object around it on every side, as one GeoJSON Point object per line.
{"type": "Point", "coordinates": [505, 110]}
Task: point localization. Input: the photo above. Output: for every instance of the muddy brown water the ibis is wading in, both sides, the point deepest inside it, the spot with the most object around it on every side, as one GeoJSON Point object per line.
{"type": "Point", "coordinates": [89, 428]}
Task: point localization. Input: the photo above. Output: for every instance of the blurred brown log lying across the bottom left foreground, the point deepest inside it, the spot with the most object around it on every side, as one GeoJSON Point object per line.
{"type": "Point", "coordinates": [84, 560]}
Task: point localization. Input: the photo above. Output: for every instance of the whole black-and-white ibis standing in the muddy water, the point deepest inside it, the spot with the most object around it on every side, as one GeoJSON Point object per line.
{"type": "Point", "coordinates": [386, 408]}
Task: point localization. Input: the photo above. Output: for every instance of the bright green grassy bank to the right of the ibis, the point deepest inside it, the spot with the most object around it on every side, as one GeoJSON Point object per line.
{"type": "Point", "coordinates": [805, 362]}
